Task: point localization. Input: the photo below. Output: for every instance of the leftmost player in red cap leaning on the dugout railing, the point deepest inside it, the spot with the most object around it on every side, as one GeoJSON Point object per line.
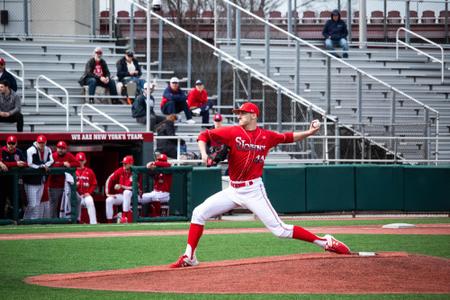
{"type": "Point", "coordinates": [11, 157]}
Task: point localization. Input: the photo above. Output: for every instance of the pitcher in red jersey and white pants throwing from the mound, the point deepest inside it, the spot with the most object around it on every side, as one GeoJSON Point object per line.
{"type": "Point", "coordinates": [249, 145]}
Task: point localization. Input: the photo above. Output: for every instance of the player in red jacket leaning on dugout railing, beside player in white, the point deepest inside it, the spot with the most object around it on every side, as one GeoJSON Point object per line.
{"type": "Point", "coordinates": [61, 159]}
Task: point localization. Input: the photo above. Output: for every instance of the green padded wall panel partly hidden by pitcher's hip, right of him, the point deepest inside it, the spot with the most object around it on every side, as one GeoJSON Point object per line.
{"type": "Point", "coordinates": [285, 187]}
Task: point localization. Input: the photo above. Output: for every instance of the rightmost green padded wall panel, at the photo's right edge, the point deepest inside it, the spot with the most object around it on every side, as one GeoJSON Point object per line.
{"type": "Point", "coordinates": [427, 188]}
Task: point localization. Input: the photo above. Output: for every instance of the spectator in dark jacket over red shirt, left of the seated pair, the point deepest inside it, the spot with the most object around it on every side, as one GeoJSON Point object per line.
{"type": "Point", "coordinates": [97, 74]}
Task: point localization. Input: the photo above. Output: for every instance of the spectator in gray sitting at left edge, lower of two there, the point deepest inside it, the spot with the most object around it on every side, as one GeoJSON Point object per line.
{"type": "Point", "coordinates": [10, 106]}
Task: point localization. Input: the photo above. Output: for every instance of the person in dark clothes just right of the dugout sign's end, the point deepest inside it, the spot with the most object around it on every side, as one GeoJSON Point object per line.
{"type": "Point", "coordinates": [167, 128]}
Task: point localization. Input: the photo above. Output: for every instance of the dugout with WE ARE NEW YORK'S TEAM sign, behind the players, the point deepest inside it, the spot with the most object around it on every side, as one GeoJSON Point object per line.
{"type": "Point", "coordinates": [104, 152]}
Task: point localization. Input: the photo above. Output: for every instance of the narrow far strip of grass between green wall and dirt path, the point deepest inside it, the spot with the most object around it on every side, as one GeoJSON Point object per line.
{"type": "Point", "coordinates": [220, 224]}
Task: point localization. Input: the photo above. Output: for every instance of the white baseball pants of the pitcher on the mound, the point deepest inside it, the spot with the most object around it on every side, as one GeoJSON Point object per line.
{"type": "Point", "coordinates": [252, 197]}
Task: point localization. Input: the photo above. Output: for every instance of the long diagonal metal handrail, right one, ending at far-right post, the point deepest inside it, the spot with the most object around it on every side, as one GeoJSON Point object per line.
{"type": "Point", "coordinates": [294, 37]}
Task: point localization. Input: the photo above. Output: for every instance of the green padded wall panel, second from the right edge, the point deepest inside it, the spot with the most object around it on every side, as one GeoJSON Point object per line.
{"type": "Point", "coordinates": [379, 187]}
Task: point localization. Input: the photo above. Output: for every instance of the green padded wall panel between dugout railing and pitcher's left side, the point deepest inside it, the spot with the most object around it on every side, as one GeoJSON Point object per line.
{"type": "Point", "coordinates": [205, 182]}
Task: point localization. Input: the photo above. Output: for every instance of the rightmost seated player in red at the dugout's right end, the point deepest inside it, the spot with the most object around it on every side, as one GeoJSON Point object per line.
{"type": "Point", "coordinates": [161, 186]}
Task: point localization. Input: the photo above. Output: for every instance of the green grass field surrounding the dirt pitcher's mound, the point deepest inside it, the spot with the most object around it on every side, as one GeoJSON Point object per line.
{"type": "Point", "coordinates": [22, 258]}
